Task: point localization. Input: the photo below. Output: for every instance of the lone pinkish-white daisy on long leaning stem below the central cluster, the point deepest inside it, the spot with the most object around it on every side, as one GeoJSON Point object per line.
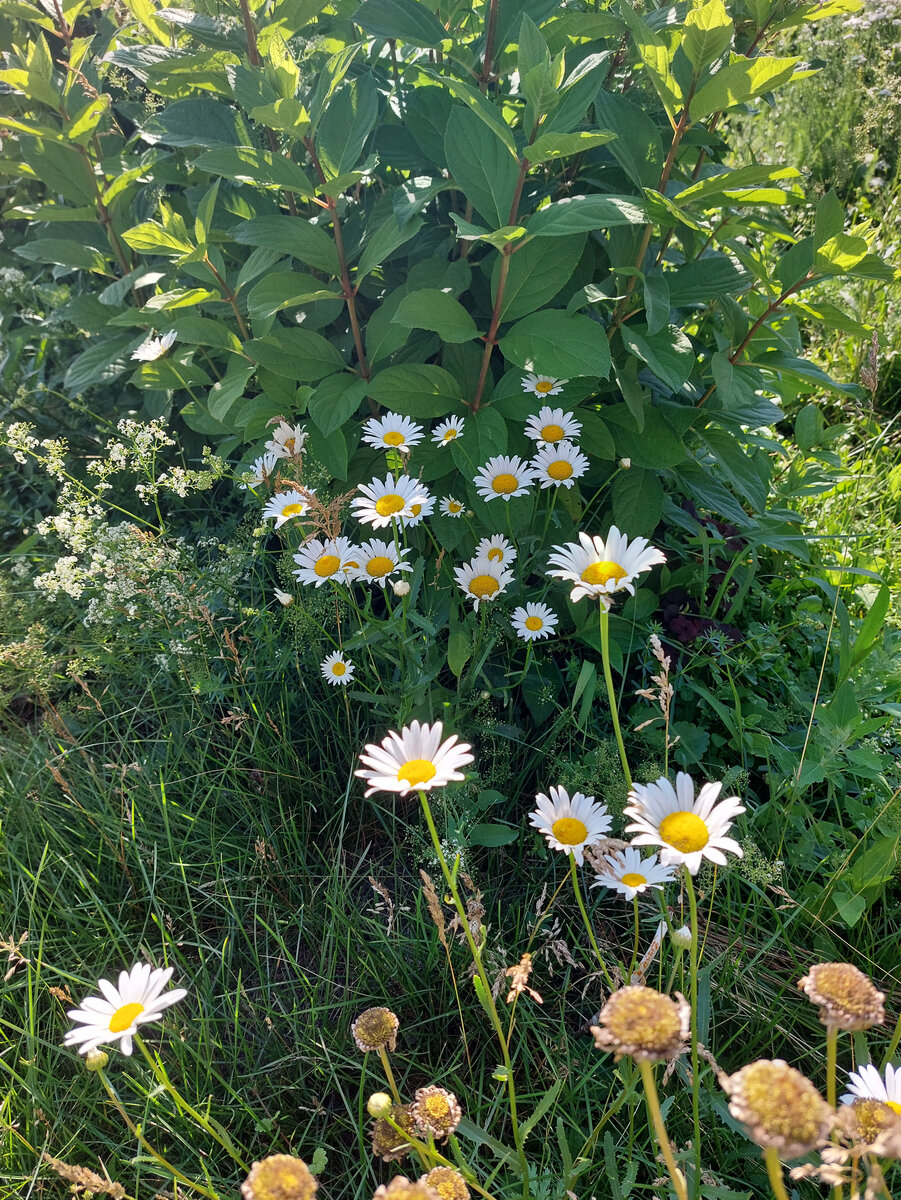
{"type": "Point", "coordinates": [415, 759]}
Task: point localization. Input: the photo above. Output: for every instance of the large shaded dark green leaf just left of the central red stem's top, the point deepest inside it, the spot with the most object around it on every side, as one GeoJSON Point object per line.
{"type": "Point", "coordinates": [482, 166]}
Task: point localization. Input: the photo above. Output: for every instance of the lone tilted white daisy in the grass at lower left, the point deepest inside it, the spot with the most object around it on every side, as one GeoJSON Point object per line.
{"type": "Point", "coordinates": [137, 1000]}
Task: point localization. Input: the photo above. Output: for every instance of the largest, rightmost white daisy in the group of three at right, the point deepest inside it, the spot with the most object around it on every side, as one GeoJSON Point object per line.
{"type": "Point", "coordinates": [688, 830]}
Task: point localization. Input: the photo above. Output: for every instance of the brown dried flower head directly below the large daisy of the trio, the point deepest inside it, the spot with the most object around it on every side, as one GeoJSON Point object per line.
{"type": "Point", "coordinates": [644, 1024]}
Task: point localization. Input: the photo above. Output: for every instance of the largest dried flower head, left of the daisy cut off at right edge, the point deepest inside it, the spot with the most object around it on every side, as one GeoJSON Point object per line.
{"type": "Point", "coordinates": [778, 1107]}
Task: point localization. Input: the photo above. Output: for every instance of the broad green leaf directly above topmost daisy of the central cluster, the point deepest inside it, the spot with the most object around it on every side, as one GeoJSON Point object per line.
{"type": "Point", "coordinates": [554, 344]}
